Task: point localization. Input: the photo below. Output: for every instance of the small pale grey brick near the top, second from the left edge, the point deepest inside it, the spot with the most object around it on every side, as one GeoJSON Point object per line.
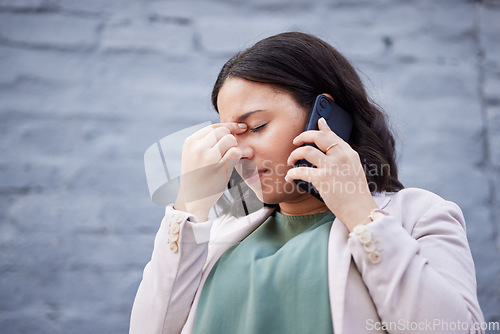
{"type": "Point", "coordinates": [168, 38]}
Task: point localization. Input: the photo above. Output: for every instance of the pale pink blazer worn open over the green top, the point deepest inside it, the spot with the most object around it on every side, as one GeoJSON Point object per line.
{"type": "Point", "coordinates": [423, 282]}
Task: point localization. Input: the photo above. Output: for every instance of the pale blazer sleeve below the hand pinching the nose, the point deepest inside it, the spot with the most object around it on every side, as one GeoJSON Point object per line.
{"type": "Point", "coordinates": [171, 279]}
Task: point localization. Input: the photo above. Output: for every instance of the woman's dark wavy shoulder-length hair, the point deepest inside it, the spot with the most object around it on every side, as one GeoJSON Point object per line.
{"type": "Point", "coordinates": [306, 66]}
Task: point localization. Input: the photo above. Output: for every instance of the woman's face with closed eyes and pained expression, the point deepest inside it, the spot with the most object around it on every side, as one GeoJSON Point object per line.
{"type": "Point", "coordinates": [274, 119]}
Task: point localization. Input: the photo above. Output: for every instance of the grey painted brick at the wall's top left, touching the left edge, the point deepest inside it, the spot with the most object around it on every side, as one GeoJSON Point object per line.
{"type": "Point", "coordinates": [48, 30]}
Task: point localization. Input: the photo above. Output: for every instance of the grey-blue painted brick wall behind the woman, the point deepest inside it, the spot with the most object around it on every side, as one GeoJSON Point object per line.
{"type": "Point", "coordinates": [87, 86]}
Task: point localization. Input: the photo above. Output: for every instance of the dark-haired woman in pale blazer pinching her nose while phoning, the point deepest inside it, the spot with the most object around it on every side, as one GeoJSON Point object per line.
{"type": "Point", "coordinates": [367, 257]}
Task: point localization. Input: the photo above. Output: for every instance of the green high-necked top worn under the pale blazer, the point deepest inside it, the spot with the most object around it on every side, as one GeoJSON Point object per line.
{"type": "Point", "coordinates": [274, 281]}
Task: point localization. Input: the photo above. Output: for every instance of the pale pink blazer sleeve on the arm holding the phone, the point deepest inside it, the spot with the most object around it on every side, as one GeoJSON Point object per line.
{"type": "Point", "coordinates": [420, 273]}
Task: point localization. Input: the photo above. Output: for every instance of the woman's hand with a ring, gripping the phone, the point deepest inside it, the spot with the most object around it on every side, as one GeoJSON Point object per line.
{"type": "Point", "coordinates": [339, 176]}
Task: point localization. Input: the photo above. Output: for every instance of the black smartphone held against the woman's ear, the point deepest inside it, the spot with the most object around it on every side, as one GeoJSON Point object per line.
{"type": "Point", "coordinates": [339, 120]}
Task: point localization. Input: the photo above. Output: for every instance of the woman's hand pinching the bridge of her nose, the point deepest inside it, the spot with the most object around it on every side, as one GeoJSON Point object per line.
{"type": "Point", "coordinates": [208, 159]}
